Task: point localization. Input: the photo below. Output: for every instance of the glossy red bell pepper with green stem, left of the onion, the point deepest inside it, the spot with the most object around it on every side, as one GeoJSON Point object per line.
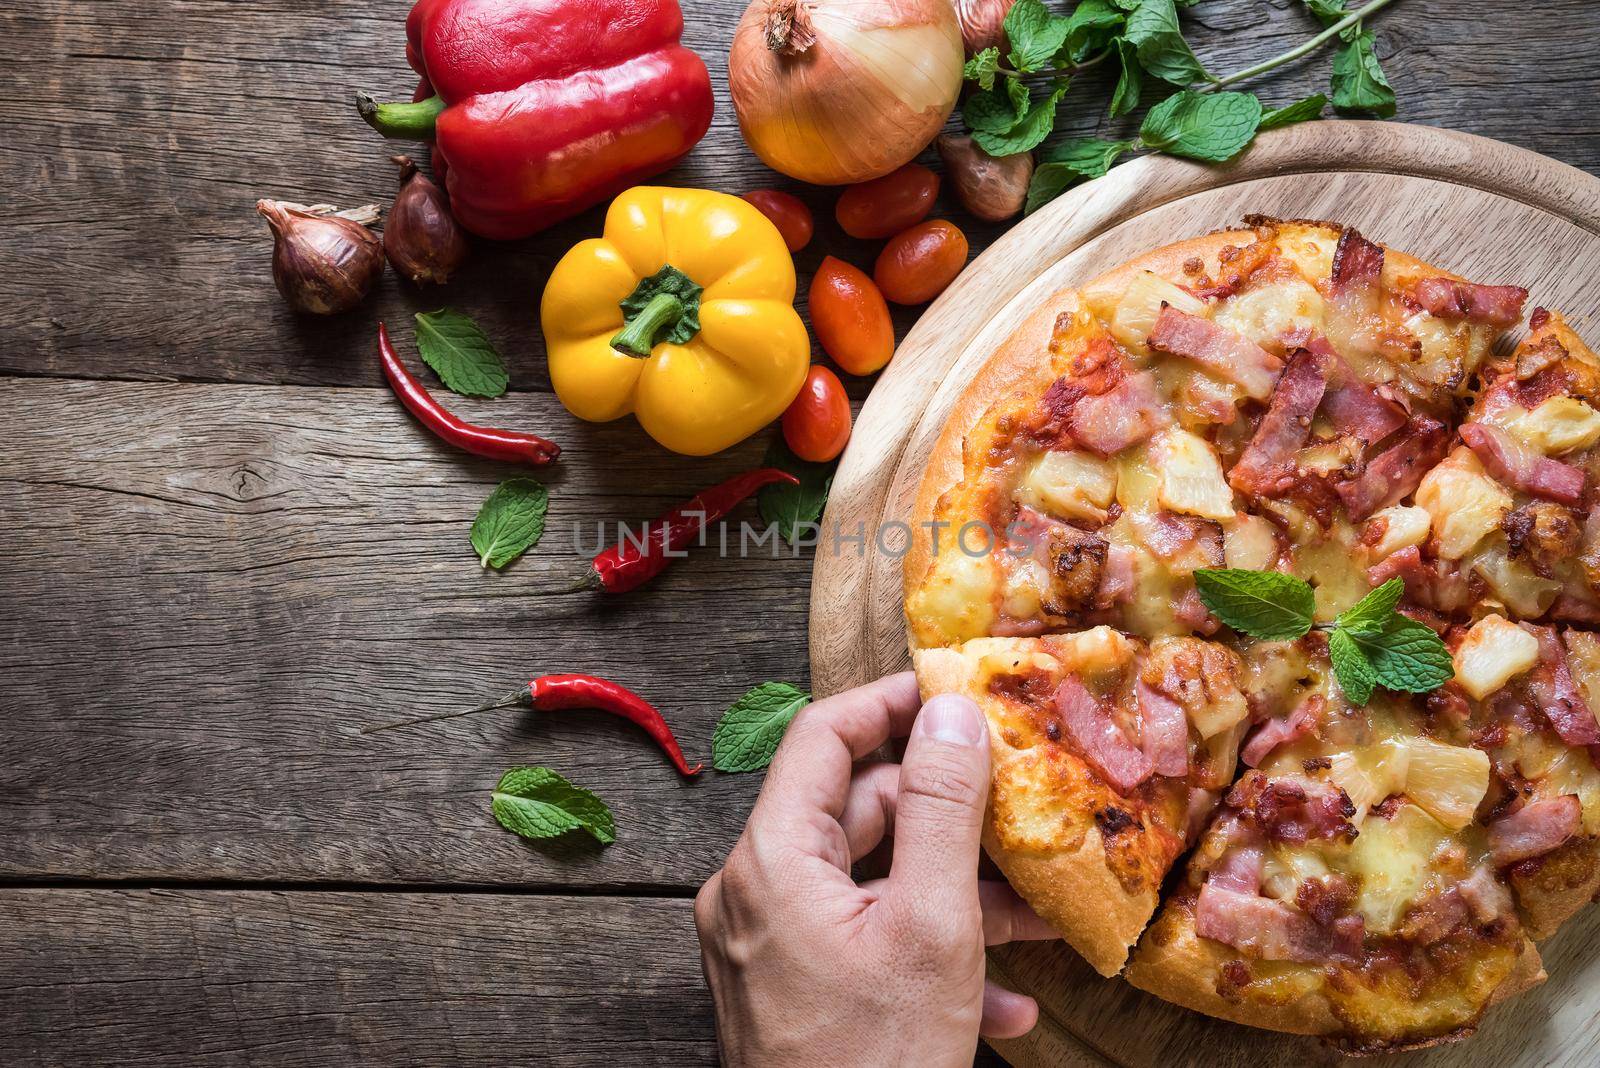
{"type": "Point", "coordinates": [543, 108]}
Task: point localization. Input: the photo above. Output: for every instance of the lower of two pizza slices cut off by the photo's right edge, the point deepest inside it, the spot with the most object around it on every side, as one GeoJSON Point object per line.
{"type": "Point", "coordinates": [1527, 696]}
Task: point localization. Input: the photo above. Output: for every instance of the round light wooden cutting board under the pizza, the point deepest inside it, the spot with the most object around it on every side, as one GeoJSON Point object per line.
{"type": "Point", "coordinates": [1482, 209]}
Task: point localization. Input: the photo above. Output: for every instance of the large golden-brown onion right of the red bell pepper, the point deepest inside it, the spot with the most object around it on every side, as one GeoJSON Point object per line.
{"type": "Point", "coordinates": [838, 92]}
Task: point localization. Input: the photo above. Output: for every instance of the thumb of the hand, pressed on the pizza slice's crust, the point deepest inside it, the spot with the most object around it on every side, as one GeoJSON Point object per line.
{"type": "Point", "coordinates": [940, 811]}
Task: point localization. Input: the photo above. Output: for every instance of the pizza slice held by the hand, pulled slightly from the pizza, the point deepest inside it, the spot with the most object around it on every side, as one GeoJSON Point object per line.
{"type": "Point", "coordinates": [1108, 755]}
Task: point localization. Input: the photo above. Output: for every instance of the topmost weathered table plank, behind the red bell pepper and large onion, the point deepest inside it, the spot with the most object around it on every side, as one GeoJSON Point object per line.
{"type": "Point", "coordinates": [137, 145]}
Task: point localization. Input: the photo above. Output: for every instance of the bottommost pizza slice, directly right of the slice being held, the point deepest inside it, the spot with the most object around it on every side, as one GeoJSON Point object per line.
{"type": "Point", "coordinates": [1343, 888]}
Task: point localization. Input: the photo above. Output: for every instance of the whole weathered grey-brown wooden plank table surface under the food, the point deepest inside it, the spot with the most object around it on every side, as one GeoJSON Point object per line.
{"type": "Point", "coordinates": [225, 551]}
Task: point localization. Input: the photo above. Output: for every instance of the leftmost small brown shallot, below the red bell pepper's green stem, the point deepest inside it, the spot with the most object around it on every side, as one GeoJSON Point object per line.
{"type": "Point", "coordinates": [322, 265]}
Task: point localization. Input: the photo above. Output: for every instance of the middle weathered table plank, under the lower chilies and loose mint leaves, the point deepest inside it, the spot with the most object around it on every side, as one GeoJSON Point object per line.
{"type": "Point", "coordinates": [210, 589]}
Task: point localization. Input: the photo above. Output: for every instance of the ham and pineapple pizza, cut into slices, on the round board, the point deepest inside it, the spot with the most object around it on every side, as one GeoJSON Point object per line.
{"type": "Point", "coordinates": [1214, 815]}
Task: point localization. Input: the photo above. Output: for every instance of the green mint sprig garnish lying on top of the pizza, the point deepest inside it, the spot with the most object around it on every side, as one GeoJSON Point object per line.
{"type": "Point", "coordinates": [1370, 645]}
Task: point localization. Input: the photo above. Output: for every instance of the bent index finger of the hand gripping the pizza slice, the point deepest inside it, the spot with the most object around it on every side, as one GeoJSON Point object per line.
{"type": "Point", "coordinates": [810, 775]}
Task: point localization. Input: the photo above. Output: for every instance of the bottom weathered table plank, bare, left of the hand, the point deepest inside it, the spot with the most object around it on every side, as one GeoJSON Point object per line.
{"type": "Point", "coordinates": [194, 978]}
